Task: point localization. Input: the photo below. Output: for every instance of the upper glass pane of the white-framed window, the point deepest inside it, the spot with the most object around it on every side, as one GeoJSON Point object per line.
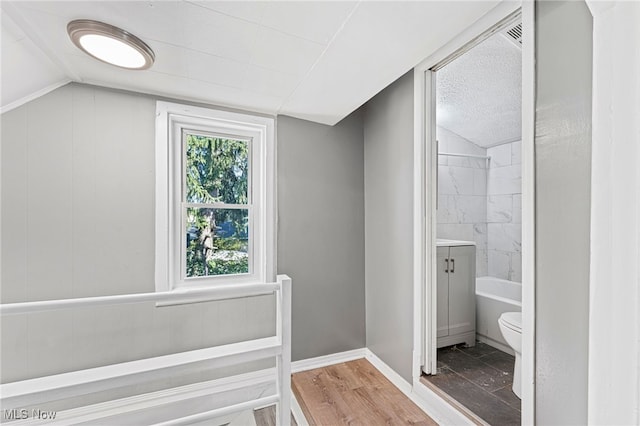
{"type": "Point", "coordinates": [217, 170]}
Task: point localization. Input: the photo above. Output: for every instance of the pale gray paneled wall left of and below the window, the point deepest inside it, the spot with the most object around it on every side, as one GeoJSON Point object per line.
{"type": "Point", "coordinates": [78, 188]}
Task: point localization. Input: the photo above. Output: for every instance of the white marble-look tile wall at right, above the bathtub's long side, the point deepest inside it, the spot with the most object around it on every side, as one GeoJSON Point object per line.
{"type": "Point", "coordinates": [504, 212]}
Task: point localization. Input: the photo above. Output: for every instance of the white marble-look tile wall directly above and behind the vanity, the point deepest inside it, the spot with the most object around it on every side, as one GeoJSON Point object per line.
{"type": "Point", "coordinates": [462, 195]}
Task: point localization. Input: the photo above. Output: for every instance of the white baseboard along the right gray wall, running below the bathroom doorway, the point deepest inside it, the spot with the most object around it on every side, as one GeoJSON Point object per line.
{"type": "Point", "coordinates": [428, 401]}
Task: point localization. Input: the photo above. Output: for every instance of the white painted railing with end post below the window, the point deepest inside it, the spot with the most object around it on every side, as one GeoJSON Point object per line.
{"type": "Point", "coordinates": [34, 391]}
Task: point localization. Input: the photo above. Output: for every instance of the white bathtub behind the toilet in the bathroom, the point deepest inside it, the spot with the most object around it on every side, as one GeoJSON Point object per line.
{"type": "Point", "coordinates": [493, 297]}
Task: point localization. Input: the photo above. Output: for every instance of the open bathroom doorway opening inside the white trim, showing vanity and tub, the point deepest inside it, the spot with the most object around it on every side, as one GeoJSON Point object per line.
{"type": "Point", "coordinates": [478, 227]}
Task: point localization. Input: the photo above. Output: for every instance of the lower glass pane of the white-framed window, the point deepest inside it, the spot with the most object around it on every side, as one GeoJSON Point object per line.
{"type": "Point", "coordinates": [217, 242]}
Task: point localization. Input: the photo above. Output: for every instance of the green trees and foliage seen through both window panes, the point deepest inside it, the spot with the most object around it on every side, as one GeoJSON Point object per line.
{"type": "Point", "coordinates": [217, 238]}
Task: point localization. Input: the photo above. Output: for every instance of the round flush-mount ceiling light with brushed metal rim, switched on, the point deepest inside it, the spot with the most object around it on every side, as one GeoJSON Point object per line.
{"type": "Point", "coordinates": [110, 44]}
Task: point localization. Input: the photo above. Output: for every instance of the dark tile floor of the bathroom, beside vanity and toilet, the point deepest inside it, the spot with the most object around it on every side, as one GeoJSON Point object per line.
{"type": "Point", "coordinates": [479, 378]}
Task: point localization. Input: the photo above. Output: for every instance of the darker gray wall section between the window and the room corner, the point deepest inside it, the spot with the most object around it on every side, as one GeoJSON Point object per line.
{"type": "Point", "coordinates": [321, 232]}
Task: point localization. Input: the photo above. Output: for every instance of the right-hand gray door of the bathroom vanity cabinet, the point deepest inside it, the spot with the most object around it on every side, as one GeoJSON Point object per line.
{"type": "Point", "coordinates": [462, 289]}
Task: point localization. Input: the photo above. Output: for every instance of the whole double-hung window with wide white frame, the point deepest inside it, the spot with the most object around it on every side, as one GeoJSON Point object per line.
{"type": "Point", "coordinates": [214, 197]}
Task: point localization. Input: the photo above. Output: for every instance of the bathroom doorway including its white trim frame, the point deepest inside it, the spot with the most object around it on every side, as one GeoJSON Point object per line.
{"type": "Point", "coordinates": [476, 141]}
